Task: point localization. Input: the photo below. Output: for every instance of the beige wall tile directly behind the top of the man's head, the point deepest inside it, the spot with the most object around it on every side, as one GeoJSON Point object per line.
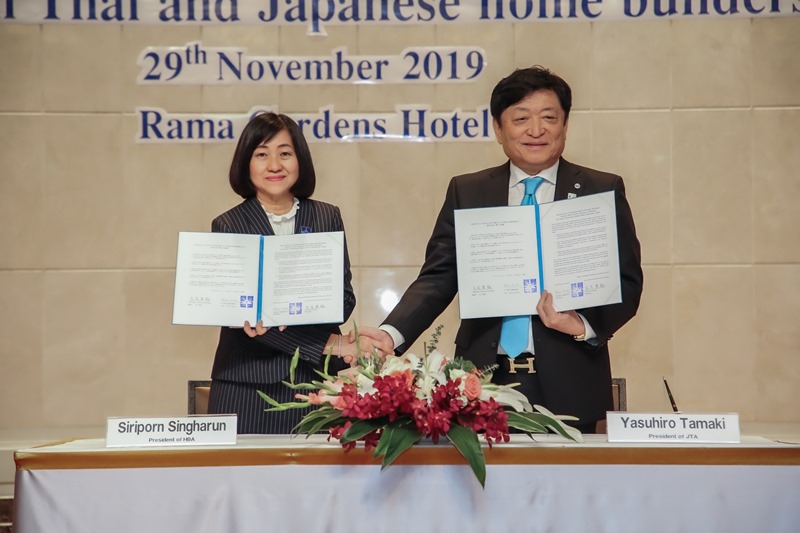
{"type": "Point", "coordinates": [566, 49]}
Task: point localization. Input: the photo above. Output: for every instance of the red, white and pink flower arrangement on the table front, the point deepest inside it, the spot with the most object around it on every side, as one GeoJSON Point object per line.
{"type": "Point", "coordinates": [391, 403]}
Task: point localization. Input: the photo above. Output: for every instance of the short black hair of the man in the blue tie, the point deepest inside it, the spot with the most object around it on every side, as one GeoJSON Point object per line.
{"type": "Point", "coordinates": [522, 83]}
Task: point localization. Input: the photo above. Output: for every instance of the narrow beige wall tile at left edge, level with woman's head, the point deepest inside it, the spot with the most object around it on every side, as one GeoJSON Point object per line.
{"type": "Point", "coordinates": [21, 188]}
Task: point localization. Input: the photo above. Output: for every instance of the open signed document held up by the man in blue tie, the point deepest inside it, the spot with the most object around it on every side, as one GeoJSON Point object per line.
{"type": "Point", "coordinates": [507, 255]}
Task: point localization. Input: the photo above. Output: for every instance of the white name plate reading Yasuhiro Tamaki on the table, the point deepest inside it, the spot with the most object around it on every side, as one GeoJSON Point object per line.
{"type": "Point", "coordinates": [673, 427]}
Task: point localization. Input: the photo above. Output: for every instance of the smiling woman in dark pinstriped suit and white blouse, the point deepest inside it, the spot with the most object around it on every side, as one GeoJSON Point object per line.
{"type": "Point", "coordinates": [273, 171]}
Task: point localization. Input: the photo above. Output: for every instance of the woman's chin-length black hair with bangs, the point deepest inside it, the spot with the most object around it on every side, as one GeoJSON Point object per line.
{"type": "Point", "coordinates": [261, 128]}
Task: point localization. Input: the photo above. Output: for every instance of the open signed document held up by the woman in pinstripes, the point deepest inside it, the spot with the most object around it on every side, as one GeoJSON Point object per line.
{"type": "Point", "coordinates": [223, 279]}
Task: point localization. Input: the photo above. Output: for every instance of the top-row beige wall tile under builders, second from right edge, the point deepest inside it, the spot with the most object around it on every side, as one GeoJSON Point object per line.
{"type": "Point", "coordinates": [711, 63]}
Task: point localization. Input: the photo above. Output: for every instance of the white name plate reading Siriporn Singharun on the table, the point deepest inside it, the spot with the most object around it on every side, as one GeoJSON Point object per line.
{"type": "Point", "coordinates": [180, 431]}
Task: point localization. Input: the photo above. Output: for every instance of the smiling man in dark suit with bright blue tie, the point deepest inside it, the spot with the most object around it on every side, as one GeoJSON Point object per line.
{"type": "Point", "coordinates": [565, 365]}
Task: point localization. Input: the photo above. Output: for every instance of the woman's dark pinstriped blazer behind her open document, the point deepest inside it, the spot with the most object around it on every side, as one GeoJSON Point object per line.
{"type": "Point", "coordinates": [265, 358]}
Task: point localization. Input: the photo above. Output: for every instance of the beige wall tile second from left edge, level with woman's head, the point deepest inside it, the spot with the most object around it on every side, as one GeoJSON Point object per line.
{"type": "Point", "coordinates": [83, 193]}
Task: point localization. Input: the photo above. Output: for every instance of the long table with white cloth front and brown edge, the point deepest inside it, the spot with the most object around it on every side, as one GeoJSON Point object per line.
{"type": "Point", "coordinates": [282, 484]}
